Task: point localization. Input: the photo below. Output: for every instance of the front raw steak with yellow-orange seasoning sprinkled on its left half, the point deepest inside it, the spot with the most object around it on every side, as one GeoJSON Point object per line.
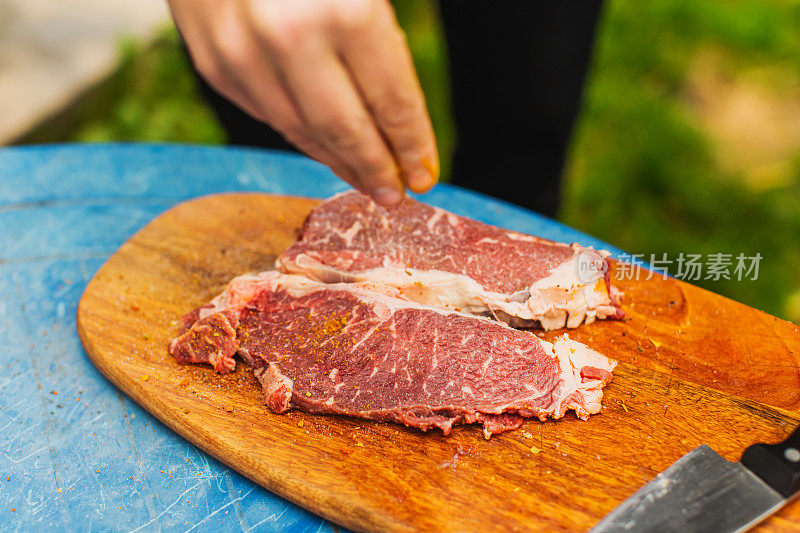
{"type": "Point", "coordinates": [359, 350]}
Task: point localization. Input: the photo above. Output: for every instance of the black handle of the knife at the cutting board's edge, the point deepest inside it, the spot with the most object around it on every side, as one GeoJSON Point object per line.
{"type": "Point", "coordinates": [777, 464]}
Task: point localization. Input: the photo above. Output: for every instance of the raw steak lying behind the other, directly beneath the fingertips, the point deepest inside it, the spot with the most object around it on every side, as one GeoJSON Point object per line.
{"type": "Point", "coordinates": [437, 258]}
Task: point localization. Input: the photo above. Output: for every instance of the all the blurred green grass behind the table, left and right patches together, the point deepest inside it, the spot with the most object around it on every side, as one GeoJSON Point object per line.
{"type": "Point", "coordinates": [644, 172]}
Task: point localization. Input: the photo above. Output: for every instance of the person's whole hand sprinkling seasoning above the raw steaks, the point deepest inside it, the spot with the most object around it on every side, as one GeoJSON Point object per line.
{"type": "Point", "coordinates": [335, 77]}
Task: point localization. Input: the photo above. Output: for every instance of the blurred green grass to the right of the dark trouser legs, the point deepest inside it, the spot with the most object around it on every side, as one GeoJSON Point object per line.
{"type": "Point", "coordinates": [643, 172]}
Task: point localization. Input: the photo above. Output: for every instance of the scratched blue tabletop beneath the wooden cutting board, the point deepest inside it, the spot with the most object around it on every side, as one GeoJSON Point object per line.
{"type": "Point", "coordinates": [77, 454]}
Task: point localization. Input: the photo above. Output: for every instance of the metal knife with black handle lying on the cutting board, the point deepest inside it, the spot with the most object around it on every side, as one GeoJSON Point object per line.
{"type": "Point", "coordinates": [702, 492]}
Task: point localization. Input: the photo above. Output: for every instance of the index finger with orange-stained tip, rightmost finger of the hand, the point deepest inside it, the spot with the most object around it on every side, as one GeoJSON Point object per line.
{"type": "Point", "coordinates": [380, 62]}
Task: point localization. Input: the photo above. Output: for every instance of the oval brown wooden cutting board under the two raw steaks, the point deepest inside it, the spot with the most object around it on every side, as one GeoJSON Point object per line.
{"type": "Point", "coordinates": [694, 368]}
